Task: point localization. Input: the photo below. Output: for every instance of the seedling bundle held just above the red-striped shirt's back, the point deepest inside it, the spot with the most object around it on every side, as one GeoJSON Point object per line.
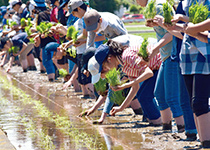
{"type": "Point", "coordinates": [143, 50]}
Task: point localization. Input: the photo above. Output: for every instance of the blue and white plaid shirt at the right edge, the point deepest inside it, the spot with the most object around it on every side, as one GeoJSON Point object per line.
{"type": "Point", "coordinates": [195, 55]}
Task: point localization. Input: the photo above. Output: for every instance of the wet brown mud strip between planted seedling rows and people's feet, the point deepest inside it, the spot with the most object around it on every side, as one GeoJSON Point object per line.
{"type": "Point", "coordinates": [124, 131]}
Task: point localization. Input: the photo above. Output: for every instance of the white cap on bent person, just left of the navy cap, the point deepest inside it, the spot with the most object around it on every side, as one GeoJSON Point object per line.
{"type": "Point", "coordinates": [93, 68]}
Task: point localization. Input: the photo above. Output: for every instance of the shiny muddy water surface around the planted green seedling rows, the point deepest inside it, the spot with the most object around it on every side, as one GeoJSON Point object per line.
{"type": "Point", "coordinates": [56, 100]}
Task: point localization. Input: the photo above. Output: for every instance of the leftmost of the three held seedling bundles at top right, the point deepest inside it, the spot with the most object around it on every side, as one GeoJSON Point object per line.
{"type": "Point", "coordinates": [150, 12]}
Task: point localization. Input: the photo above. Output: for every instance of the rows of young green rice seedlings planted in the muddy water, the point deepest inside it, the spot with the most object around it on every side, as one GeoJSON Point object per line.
{"type": "Point", "coordinates": [62, 123]}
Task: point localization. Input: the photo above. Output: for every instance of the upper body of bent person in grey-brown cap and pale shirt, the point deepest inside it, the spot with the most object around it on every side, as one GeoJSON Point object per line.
{"type": "Point", "coordinates": [105, 23]}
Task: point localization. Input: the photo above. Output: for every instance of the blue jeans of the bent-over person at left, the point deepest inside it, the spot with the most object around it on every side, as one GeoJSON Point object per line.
{"type": "Point", "coordinates": [47, 55]}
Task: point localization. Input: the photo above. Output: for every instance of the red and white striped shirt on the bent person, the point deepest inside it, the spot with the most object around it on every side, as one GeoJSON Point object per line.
{"type": "Point", "coordinates": [131, 65]}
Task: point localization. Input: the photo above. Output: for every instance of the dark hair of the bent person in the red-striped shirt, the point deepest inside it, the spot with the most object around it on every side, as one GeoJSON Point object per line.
{"type": "Point", "coordinates": [114, 48]}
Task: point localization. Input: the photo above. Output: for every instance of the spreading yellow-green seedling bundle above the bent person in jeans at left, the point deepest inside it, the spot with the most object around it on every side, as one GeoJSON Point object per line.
{"type": "Point", "coordinates": [44, 28]}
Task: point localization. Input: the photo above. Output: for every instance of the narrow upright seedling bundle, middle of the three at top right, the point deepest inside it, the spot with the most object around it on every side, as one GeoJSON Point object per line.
{"type": "Point", "coordinates": [167, 11]}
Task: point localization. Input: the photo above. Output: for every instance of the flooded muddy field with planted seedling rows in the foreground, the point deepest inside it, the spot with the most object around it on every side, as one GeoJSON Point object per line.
{"type": "Point", "coordinates": [38, 115]}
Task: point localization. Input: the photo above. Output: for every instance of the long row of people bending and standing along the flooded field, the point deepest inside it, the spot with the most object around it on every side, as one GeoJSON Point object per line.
{"type": "Point", "coordinates": [172, 83]}
